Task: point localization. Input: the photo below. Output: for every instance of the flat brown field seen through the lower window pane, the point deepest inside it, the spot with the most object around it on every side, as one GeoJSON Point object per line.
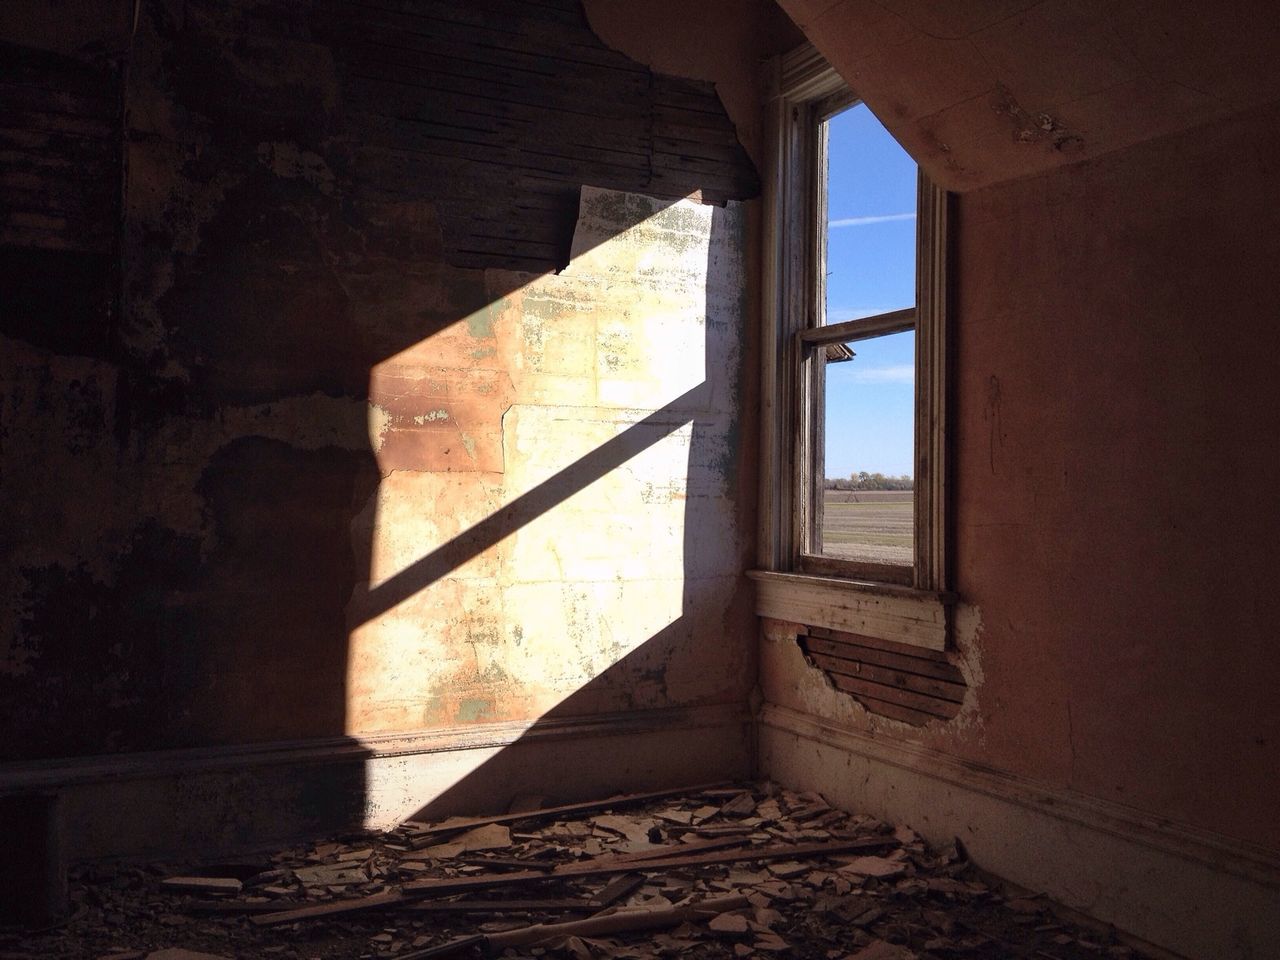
{"type": "Point", "coordinates": [868, 525]}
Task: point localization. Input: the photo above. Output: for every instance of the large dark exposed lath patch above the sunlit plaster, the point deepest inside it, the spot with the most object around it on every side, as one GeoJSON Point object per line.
{"type": "Point", "coordinates": [500, 112]}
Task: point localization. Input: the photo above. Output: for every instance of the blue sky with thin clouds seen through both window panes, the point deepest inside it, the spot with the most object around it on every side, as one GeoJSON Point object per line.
{"type": "Point", "coordinates": [871, 269]}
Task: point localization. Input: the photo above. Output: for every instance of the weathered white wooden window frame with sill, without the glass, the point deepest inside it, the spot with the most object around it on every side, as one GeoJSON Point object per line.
{"type": "Point", "coordinates": [907, 605]}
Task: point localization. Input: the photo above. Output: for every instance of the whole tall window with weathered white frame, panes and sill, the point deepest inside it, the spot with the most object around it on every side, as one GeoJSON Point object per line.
{"type": "Point", "coordinates": [828, 359]}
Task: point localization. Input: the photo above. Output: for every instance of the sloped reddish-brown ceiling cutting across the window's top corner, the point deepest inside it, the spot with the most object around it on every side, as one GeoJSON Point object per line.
{"type": "Point", "coordinates": [985, 92]}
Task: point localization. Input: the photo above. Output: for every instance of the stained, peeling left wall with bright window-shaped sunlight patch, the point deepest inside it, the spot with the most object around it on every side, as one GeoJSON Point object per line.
{"type": "Point", "coordinates": [408, 399]}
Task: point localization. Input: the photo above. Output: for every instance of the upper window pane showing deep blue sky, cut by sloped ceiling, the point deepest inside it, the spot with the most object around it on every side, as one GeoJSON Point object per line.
{"type": "Point", "coordinates": [871, 218]}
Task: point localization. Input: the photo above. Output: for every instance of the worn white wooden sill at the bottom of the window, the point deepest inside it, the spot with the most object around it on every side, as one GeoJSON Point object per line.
{"type": "Point", "coordinates": [880, 611]}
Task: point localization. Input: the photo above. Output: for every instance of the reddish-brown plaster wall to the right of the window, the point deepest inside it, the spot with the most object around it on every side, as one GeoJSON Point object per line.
{"type": "Point", "coordinates": [1116, 478]}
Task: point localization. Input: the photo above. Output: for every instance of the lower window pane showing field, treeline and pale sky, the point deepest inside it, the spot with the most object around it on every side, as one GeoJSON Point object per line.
{"type": "Point", "coordinates": [868, 451]}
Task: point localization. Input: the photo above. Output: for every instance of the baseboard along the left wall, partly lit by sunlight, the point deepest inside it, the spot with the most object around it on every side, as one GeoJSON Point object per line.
{"type": "Point", "coordinates": [216, 801]}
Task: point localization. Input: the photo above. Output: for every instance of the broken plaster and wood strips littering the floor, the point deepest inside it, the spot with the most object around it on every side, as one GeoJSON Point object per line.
{"type": "Point", "coordinates": [717, 872]}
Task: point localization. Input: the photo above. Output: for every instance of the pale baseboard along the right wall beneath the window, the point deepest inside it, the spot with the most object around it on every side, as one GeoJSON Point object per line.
{"type": "Point", "coordinates": [1186, 890]}
